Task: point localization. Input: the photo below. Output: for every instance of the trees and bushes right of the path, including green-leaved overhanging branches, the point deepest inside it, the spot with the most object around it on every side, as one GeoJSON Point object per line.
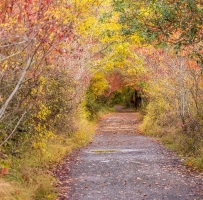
{"type": "Point", "coordinates": [172, 32]}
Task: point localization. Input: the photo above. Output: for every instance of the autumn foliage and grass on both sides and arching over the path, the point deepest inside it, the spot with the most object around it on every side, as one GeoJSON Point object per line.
{"type": "Point", "coordinates": [63, 61]}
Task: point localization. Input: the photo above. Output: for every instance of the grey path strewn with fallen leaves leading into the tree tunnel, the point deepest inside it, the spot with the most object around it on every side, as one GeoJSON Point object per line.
{"type": "Point", "coordinates": [122, 164]}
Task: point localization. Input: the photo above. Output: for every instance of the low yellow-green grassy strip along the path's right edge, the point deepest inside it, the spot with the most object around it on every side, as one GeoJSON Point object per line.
{"type": "Point", "coordinates": [173, 137]}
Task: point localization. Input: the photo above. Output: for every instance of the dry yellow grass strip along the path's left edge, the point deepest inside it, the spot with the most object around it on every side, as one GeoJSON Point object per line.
{"type": "Point", "coordinates": [29, 176]}
